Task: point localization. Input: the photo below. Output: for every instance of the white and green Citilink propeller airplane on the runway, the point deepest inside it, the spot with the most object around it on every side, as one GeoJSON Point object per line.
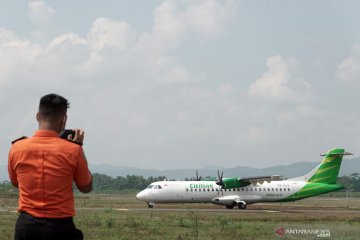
{"type": "Point", "coordinates": [240, 192]}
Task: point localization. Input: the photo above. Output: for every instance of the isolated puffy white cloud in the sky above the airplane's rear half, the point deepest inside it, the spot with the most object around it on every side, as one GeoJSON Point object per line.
{"type": "Point", "coordinates": [279, 83]}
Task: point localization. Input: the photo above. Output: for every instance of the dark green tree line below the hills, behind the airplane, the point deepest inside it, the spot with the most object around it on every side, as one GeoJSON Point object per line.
{"type": "Point", "coordinates": [103, 183]}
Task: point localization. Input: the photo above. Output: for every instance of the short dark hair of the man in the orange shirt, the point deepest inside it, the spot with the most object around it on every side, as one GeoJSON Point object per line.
{"type": "Point", "coordinates": [53, 105]}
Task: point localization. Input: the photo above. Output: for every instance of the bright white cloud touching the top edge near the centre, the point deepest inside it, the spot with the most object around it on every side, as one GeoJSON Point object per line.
{"type": "Point", "coordinates": [174, 20]}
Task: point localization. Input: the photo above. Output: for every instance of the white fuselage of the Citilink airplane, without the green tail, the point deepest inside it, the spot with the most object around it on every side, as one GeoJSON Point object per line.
{"type": "Point", "coordinates": [210, 192]}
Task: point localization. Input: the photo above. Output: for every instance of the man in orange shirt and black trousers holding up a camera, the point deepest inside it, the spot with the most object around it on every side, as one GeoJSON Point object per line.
{"type": "Point", "coordinates": [44, 168]}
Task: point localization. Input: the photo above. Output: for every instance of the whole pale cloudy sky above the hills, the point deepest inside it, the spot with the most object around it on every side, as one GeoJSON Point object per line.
{"type": "Point", "coordinates": [186, 84]}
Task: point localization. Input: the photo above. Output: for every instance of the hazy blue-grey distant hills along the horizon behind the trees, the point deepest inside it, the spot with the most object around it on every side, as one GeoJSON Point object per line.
{"type": "Point", "coordinates": [293, 170]}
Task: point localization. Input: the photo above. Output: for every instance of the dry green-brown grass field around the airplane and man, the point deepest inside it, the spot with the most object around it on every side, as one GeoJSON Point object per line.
{"type": "Point", "coordinates": [108, 217]}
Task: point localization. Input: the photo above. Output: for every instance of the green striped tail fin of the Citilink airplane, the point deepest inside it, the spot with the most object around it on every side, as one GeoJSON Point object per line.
{"type": "Point", "coordinates": [328, 170]}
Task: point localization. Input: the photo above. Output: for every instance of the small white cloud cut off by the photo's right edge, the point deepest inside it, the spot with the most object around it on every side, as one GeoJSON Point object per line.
{"type": "Point", "coordinates": [349, 69]}
